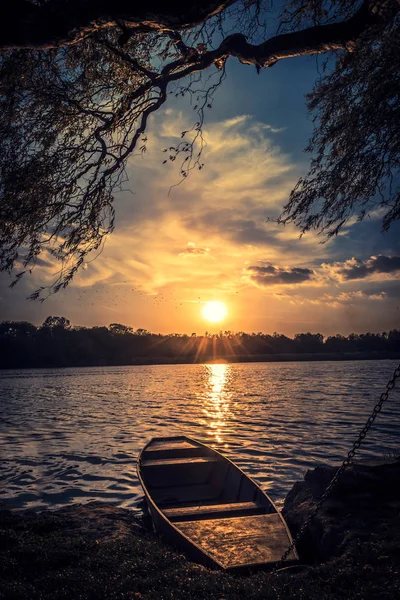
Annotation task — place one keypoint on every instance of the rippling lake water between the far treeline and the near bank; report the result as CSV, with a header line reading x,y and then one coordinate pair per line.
x,y
73,435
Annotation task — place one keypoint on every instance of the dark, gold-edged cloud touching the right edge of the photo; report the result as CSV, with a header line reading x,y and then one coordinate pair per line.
x,y
355,268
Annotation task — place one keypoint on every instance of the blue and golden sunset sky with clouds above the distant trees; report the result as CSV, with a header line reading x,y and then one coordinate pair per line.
x,y
211,238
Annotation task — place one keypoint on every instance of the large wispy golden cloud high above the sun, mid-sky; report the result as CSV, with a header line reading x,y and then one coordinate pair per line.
x,y
246,179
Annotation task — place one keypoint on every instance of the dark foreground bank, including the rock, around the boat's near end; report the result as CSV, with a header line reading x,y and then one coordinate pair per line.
x,y
98,551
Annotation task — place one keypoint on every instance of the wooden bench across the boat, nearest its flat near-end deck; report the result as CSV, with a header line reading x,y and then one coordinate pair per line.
x,y
214,511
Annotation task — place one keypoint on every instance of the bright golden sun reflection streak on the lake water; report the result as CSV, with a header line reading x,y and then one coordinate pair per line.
x,y
218,399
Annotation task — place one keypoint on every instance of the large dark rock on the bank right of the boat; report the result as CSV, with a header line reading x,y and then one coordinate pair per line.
x,y
364,503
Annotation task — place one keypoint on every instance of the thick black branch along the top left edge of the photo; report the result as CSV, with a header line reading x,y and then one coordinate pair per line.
x,y
58,23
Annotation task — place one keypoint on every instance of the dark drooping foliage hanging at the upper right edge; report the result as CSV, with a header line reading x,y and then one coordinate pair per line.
x,y
356,141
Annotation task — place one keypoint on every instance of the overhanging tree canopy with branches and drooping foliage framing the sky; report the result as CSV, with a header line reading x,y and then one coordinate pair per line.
x,y
80,79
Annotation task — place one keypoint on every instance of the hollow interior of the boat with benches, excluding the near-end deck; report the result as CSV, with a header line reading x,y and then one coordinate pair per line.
x,y
189,481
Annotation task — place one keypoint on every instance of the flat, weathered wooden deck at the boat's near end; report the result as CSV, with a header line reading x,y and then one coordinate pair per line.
x,y
241,541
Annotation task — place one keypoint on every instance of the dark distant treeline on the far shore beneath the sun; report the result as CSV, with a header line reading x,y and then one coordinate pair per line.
x,y
58,344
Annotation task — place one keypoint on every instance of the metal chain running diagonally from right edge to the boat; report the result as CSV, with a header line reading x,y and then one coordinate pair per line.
x,y
377,409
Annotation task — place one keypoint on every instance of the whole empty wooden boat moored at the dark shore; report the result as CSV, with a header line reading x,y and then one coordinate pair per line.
x,y
204,504
